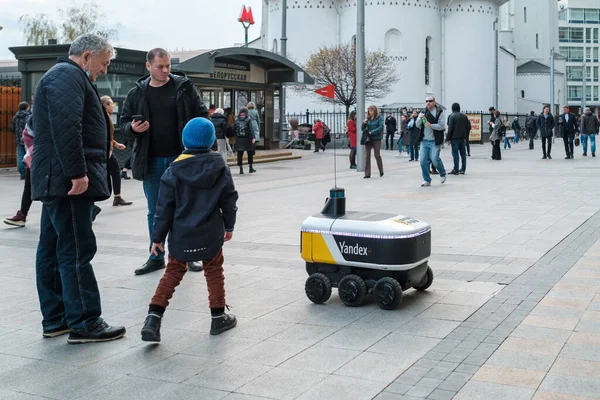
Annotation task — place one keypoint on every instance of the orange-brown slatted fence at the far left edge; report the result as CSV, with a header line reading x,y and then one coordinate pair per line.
x,y
10,96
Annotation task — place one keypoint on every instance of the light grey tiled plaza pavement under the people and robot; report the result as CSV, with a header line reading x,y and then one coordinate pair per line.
x,y
513,312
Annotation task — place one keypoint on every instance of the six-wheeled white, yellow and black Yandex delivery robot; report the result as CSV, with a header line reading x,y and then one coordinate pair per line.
x,y
364,253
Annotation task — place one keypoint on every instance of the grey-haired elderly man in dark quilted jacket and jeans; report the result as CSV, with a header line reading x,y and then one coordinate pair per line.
x,y
68,173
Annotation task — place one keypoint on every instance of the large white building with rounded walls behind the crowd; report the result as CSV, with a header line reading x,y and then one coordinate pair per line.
x,y
446,48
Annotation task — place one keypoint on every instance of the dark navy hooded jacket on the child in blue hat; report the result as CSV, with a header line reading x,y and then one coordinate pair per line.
x,y
196,205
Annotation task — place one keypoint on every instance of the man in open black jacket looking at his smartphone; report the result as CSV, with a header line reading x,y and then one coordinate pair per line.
x,y
154,114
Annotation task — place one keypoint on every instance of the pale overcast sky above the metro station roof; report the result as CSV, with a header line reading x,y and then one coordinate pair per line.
x,y
199,24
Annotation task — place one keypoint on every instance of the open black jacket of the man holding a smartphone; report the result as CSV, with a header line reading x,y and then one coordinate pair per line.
x,y
189,105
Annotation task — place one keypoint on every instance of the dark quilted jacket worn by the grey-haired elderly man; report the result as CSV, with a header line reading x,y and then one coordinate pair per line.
x,y
71,135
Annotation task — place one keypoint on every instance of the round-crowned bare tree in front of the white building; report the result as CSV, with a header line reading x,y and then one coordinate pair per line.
x,y
337,65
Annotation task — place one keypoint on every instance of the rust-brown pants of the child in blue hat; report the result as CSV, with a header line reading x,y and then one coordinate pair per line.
x,y
213,272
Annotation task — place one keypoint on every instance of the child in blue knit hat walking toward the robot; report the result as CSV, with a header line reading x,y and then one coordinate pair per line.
x,y
197,209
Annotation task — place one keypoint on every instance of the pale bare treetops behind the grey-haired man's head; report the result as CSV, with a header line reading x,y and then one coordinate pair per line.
x,y
75,20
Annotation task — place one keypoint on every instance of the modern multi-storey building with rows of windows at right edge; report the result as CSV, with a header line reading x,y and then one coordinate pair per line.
x,y
578,32
